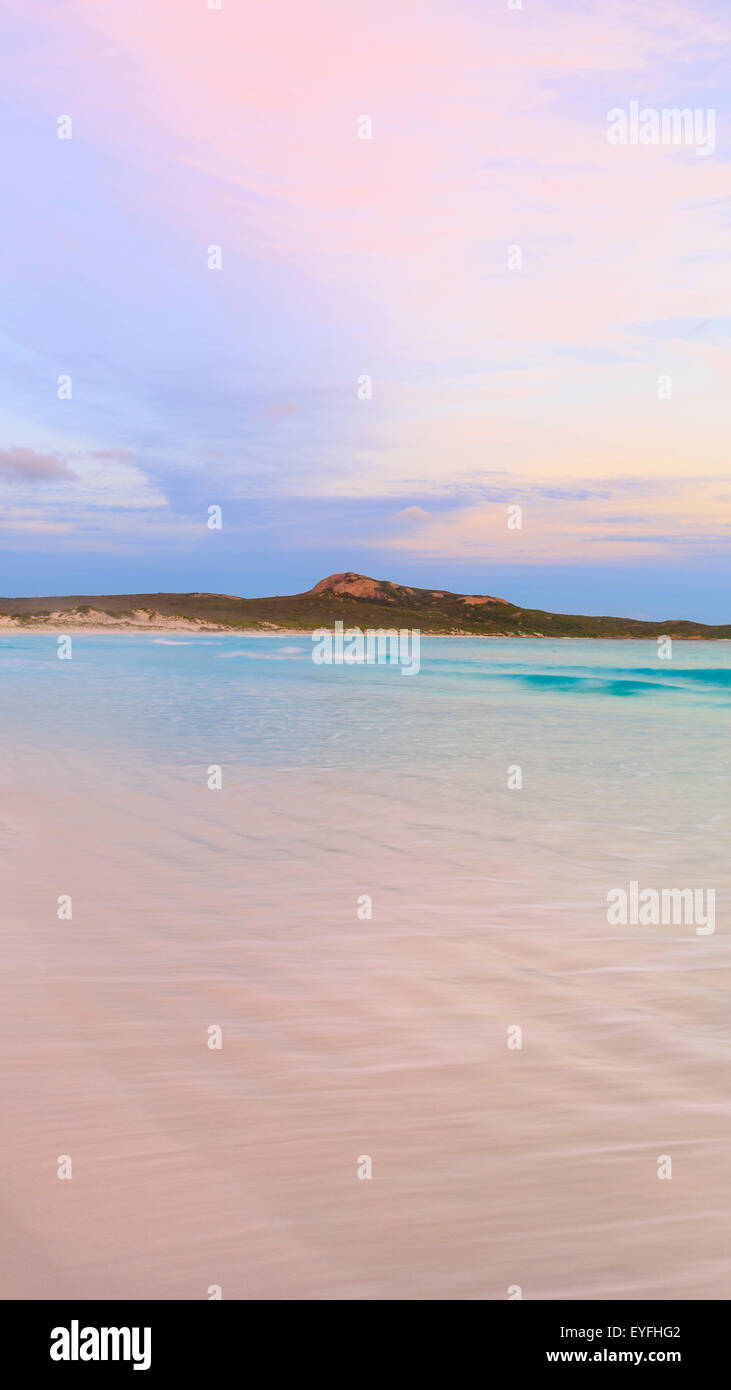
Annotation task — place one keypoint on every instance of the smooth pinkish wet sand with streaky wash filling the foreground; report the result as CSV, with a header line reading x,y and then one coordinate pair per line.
x,y
343,1038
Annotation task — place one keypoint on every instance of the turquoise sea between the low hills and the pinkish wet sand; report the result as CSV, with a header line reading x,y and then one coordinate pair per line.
x,y
621,753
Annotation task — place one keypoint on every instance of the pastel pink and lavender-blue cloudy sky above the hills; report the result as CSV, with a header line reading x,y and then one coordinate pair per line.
x,y
365,279
